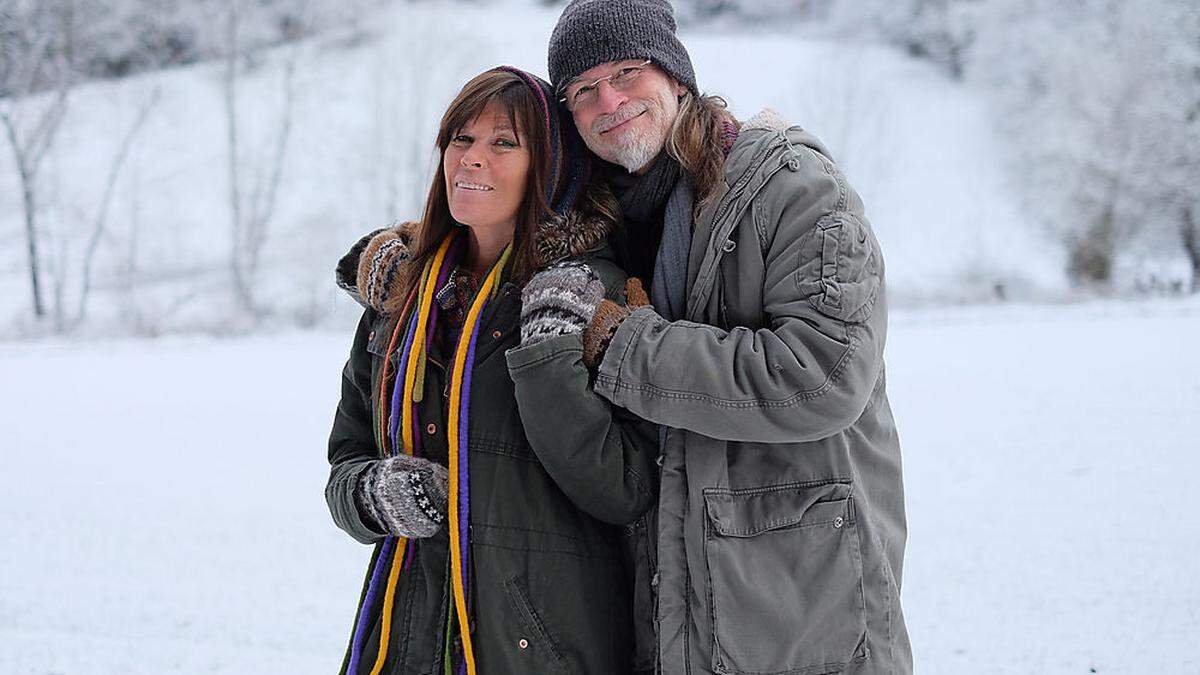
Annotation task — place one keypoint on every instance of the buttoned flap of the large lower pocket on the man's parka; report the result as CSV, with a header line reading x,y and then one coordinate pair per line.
x,y
751,512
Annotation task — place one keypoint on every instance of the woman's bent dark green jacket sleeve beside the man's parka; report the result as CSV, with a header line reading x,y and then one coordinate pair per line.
x,y
602,457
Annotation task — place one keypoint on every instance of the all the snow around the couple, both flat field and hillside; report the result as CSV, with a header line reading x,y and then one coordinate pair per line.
x,y
163,503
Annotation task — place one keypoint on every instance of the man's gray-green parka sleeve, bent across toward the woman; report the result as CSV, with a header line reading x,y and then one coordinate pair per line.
x,y
809,372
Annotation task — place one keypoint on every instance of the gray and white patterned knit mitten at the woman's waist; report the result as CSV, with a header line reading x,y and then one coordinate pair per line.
x,y
405,497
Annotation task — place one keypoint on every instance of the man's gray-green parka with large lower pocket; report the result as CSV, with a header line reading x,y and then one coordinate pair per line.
x,y
781,530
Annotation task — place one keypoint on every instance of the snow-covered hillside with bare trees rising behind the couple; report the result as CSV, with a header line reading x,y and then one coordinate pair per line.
x,y
920,148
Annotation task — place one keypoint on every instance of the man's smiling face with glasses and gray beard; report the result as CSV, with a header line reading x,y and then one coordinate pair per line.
x,y
628,127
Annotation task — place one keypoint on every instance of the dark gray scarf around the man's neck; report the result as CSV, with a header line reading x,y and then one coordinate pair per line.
x,y
641,198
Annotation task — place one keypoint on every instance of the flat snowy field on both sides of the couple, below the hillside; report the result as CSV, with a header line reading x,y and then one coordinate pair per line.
x,y
163,511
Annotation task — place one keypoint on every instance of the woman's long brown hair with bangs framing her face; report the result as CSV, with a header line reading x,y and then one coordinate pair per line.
x,y
524,111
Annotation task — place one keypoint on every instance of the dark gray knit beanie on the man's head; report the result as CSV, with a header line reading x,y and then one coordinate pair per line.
x,y
596,32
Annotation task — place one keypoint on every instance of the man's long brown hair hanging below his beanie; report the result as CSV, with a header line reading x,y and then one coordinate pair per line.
x,y
697,142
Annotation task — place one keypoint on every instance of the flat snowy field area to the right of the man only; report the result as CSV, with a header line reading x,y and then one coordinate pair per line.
x,y
1048,465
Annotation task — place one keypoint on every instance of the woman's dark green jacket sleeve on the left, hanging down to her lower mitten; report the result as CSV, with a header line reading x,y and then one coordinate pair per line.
x,y
352,447
